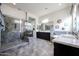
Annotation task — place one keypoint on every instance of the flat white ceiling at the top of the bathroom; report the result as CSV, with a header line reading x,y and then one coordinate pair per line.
x,y
41,9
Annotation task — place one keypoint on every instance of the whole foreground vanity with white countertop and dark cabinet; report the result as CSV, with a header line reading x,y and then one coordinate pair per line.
x,y
66,46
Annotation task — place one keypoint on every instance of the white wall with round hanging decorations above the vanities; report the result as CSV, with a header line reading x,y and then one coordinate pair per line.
x,y
63,14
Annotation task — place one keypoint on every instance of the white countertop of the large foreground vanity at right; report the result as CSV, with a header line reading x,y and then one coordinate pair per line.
x,y
69,40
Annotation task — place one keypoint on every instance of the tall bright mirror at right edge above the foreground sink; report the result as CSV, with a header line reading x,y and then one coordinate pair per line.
x,y
75,16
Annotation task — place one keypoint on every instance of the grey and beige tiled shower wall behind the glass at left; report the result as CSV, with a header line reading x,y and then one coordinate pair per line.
x,y
11,34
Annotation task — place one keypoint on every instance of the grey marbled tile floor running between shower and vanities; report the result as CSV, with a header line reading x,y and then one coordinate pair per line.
x,y
36,47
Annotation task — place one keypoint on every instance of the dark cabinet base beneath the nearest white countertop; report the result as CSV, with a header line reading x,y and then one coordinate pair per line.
x,y
64,50
